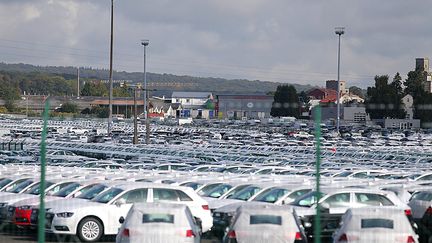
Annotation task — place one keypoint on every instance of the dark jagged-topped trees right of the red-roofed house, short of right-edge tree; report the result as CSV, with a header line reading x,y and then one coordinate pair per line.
x,y
385,100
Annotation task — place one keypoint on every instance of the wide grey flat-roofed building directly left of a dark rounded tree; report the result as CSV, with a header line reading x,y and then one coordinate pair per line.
x,y
244,106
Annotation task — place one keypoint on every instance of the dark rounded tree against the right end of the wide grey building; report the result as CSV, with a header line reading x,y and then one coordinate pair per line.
x,y
286,102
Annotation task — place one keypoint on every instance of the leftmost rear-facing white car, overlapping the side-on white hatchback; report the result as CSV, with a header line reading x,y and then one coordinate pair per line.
x,y
157,222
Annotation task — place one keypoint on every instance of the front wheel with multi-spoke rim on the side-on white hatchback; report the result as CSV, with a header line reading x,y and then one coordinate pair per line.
x,y
90,229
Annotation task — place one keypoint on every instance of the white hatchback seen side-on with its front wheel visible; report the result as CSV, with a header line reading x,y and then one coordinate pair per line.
x,y
92,219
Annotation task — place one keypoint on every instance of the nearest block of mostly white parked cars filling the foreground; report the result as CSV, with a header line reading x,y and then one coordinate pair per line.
x,y
91,203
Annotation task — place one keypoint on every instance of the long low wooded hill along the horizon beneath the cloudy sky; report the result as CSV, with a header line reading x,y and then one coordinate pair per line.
x,y
164,83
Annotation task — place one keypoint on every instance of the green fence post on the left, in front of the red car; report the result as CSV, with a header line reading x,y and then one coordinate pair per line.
x,y
41,216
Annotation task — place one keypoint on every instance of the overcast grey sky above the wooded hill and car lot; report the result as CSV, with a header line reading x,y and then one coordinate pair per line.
x,y
290,41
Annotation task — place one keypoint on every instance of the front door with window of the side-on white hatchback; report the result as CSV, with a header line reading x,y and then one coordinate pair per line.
x,y
121,210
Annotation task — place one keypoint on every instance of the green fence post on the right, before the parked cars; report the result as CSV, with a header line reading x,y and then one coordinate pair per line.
x,y
317,224
